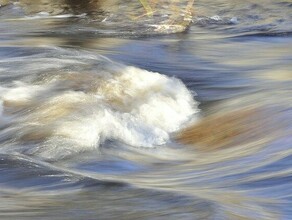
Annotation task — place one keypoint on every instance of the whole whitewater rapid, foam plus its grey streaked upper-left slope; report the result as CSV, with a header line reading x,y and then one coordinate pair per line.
x,y
63,102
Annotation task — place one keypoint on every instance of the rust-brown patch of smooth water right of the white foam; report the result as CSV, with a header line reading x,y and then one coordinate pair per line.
x,y
224,130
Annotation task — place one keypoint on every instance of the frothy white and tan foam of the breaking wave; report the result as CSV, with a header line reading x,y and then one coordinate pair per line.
x,y
82,110
